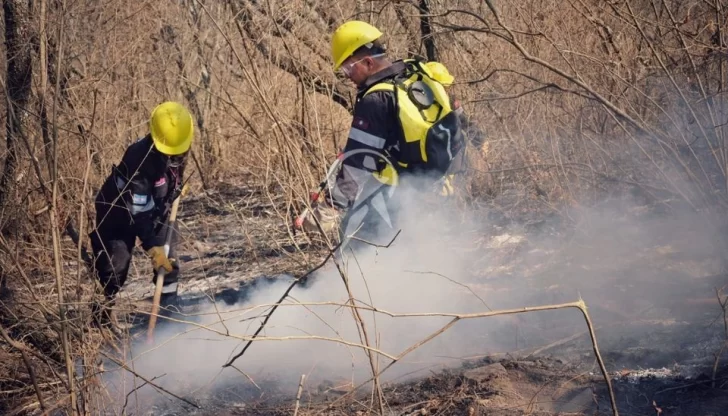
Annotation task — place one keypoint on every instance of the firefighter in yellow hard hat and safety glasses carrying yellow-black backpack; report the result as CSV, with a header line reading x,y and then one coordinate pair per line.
x,y
405,130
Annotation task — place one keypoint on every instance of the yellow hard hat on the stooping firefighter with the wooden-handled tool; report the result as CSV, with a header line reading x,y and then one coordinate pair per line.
x,y
172,128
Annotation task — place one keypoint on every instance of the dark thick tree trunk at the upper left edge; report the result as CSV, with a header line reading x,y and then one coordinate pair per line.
x,y
18,33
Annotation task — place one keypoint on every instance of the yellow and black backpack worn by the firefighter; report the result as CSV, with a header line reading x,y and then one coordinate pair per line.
x,y
430,126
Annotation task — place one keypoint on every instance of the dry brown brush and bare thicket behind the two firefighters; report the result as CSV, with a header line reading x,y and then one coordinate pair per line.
x,y
580,99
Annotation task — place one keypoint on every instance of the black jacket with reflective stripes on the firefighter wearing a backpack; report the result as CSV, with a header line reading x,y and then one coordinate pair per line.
x,y
375,127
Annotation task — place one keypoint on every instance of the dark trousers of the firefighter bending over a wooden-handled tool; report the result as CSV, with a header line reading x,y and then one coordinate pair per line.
x,y
113,246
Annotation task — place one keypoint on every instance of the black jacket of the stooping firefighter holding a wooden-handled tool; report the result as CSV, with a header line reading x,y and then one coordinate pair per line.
x,y
137,196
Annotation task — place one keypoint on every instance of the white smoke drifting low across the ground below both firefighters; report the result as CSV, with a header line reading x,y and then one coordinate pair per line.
x,y
609,260
